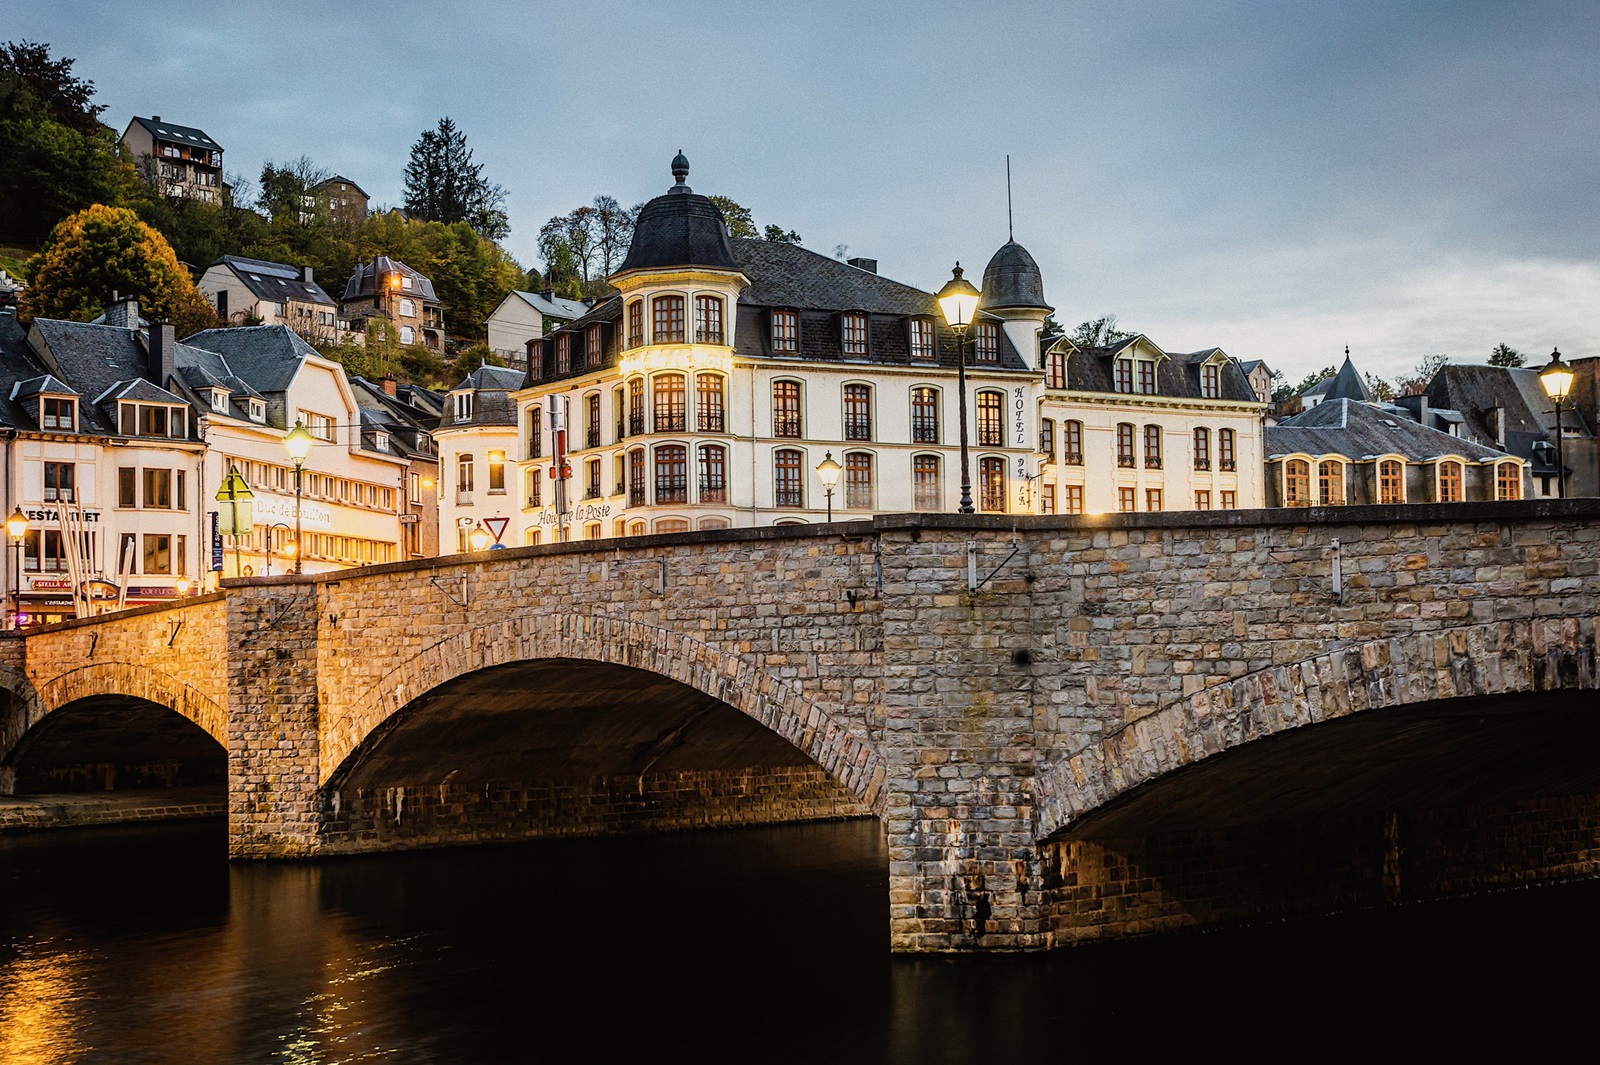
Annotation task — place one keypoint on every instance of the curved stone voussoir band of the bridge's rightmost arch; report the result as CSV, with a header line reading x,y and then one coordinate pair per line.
x,y
1490,660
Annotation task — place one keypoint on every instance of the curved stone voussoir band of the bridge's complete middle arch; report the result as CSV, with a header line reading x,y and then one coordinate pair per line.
x,y
735,680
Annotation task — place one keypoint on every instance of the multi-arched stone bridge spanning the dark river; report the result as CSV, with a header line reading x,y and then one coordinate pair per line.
x,y
1071,728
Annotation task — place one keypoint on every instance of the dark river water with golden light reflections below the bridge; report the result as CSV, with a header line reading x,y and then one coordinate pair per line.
x,y
751,946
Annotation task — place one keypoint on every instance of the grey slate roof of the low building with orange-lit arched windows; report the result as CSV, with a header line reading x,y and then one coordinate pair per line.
x,y
1362,431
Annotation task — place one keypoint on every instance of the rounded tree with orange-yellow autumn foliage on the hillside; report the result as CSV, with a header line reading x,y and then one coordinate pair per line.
x,y
103,250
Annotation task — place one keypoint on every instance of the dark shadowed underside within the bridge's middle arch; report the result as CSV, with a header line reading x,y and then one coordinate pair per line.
x,y
554,748
